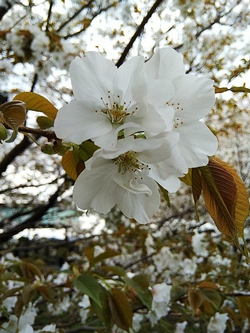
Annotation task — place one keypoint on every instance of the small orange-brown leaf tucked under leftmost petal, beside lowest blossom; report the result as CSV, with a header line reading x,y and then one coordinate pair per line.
x,y
72,165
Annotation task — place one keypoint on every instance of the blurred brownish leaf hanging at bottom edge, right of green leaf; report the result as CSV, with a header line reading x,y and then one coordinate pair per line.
x,y
120,309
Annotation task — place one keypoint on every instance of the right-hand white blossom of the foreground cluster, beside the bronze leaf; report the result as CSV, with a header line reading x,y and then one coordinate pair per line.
x,y
193,98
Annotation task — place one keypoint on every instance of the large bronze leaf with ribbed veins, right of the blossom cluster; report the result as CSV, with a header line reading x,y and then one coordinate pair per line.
x,y
225,197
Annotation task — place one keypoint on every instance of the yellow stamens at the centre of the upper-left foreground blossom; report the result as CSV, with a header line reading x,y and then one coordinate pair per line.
x,y
115,110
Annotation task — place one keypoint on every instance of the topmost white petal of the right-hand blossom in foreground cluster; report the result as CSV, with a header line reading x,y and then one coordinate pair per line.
x,y
166,63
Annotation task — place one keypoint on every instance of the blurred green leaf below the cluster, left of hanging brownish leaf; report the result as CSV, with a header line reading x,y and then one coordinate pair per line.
x,y
88,285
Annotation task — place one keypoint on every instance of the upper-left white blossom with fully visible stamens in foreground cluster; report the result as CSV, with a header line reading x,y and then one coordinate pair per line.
x,y
108,101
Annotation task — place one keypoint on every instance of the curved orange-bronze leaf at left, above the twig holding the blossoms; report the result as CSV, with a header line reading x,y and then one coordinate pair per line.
x,y
37,102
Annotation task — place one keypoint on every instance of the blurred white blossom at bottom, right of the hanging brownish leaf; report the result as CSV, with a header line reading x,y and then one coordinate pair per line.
x,y
161,299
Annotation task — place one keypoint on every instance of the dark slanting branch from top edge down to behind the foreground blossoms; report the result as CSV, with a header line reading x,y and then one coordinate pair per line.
x,y
138,32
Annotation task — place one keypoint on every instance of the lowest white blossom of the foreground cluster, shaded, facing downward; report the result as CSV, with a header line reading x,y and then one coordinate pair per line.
x,y
123,178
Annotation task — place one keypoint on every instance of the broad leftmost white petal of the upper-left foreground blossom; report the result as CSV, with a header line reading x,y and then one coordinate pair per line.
x,y
78,121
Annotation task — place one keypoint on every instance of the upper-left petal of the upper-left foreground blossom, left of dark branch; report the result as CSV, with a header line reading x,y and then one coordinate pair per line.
x,y
92,76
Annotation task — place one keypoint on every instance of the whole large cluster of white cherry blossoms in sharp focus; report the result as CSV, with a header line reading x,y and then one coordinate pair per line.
x,y
146,119
